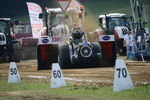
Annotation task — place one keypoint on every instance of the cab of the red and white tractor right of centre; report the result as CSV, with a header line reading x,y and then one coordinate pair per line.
x,y
108,22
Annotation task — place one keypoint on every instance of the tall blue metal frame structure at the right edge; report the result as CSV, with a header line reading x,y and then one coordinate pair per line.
x,y
141,51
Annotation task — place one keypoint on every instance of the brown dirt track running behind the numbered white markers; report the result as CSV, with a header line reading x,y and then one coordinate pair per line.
x,y
139,72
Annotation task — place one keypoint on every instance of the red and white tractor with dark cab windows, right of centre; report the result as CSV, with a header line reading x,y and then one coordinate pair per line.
x,y
115,24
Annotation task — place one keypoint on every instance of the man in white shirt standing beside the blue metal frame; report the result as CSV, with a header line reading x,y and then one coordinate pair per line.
x,y
128,41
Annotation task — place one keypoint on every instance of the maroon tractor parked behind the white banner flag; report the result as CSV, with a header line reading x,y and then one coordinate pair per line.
x,y
23,34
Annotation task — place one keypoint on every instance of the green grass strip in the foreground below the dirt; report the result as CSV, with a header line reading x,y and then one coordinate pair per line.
x,y
32,89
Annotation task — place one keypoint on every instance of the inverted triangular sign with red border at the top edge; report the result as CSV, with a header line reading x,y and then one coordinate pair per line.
x,y
64,4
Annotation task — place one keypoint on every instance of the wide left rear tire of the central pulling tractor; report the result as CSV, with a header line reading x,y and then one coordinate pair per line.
x,y
64,56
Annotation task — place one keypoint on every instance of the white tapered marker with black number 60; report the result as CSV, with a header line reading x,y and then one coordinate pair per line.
x,y
57,79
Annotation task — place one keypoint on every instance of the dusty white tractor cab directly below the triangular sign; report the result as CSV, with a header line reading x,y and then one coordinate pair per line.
x,y
58,22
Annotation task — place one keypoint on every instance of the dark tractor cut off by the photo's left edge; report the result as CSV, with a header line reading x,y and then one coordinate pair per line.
x,y
10,49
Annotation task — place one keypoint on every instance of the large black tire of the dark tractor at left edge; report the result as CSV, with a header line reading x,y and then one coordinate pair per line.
x,y
16,52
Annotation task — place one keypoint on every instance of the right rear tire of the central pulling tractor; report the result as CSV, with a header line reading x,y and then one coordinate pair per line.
x,y
97,50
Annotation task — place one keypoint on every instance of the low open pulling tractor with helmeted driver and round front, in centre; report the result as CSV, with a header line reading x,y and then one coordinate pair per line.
x,y
78,52
